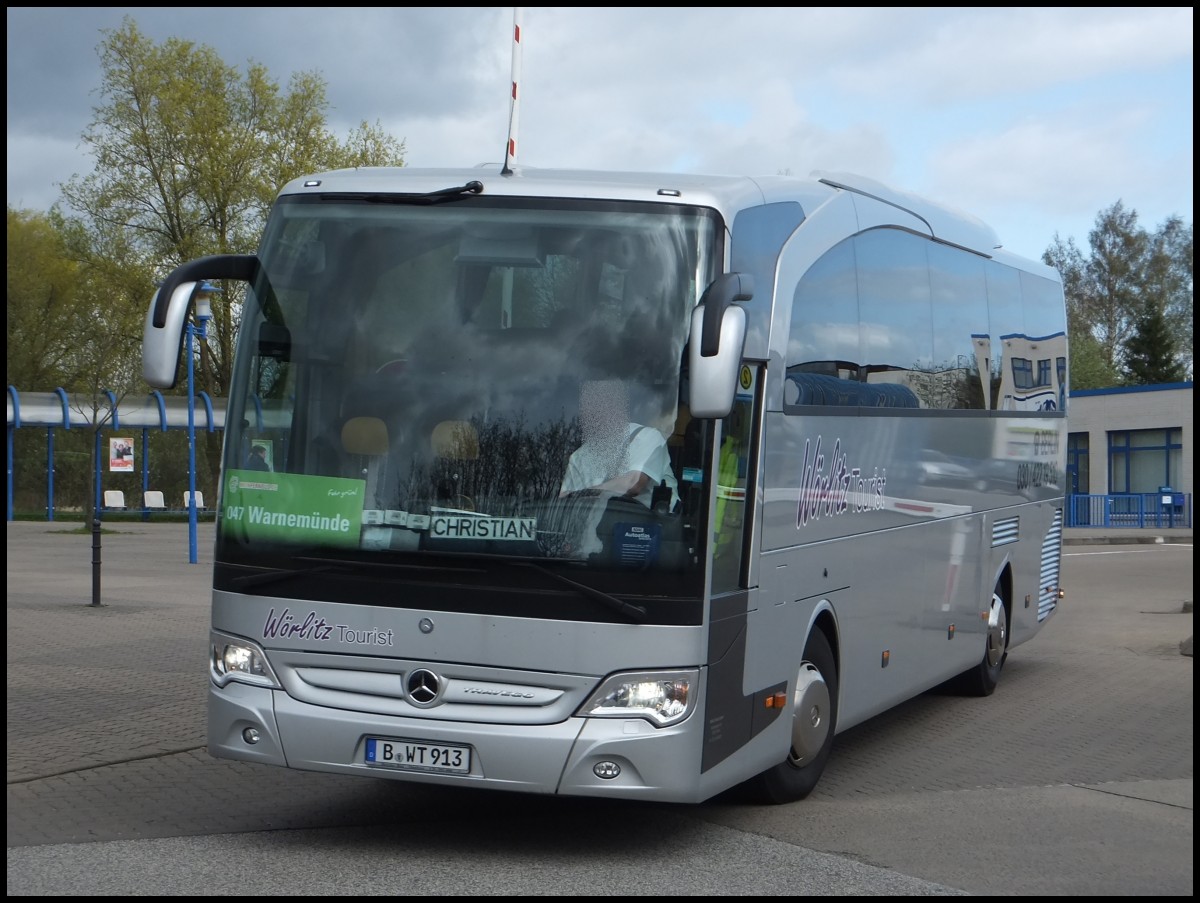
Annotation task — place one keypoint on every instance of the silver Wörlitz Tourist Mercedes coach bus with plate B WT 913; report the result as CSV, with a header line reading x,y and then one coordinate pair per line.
x,y
616,485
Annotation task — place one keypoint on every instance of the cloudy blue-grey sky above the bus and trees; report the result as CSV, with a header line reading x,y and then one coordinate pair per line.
x,y
1034,119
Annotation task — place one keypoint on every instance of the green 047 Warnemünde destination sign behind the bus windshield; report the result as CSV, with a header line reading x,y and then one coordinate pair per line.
x,y
292,507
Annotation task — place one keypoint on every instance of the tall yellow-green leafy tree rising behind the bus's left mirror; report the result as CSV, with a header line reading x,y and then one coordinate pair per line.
x,y
189,157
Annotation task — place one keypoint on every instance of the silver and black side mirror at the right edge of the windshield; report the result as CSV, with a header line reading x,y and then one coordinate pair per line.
x,y
715,348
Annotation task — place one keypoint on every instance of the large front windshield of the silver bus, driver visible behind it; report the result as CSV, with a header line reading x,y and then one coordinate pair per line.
x,y
470,379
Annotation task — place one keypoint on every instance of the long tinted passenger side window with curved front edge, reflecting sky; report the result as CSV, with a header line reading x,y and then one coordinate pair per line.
x,y
890,319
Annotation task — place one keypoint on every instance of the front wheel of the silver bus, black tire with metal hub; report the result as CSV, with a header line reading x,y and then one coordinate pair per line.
x,y
797,776
